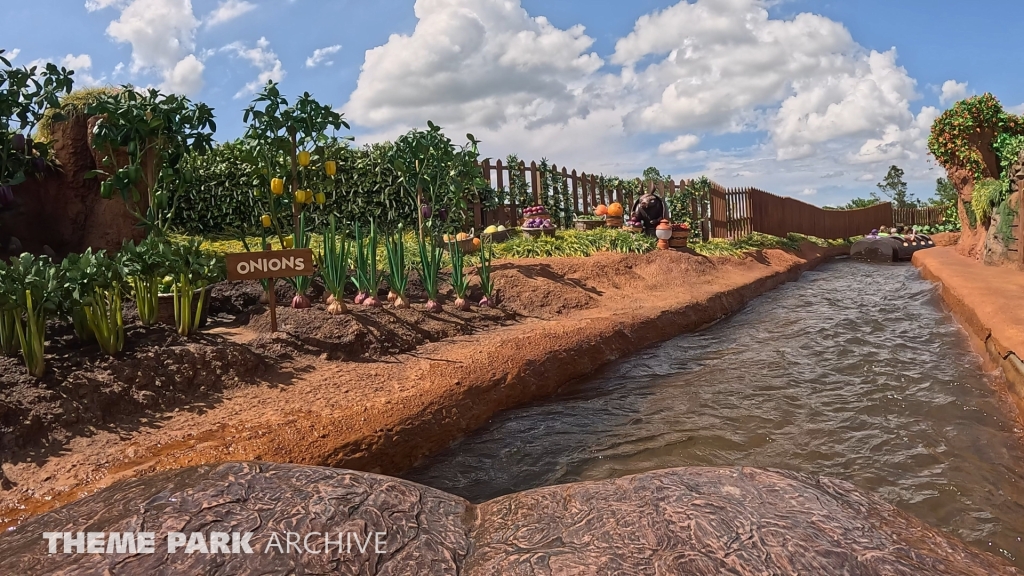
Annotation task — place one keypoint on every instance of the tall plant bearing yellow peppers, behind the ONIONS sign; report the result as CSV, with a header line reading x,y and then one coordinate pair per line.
x,y
284,139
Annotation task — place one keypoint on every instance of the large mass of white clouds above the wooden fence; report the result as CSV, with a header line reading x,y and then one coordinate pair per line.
x,y
809,95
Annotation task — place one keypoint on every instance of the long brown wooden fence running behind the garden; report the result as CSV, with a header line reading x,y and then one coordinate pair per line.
x,y
722,213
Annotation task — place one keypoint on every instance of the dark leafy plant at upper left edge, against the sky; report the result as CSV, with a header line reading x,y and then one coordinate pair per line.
x,y
25,96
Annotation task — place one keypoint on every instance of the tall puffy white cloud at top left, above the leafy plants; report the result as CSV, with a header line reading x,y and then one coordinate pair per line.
x,y
162,36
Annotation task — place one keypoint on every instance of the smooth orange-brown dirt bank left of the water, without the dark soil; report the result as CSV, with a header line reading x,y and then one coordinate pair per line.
x,y
383,417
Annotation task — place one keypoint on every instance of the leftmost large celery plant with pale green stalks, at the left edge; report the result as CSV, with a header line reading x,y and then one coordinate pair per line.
x,y
34,285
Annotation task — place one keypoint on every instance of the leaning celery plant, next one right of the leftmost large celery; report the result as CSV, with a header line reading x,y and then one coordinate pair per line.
x,y
103,305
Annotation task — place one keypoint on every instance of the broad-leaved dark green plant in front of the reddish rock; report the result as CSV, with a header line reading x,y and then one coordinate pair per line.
x,y
144,138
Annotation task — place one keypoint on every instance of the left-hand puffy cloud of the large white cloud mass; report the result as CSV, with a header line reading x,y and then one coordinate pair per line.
x,y
477,62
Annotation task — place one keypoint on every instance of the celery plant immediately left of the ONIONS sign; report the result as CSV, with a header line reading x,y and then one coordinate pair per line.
x,y
193,271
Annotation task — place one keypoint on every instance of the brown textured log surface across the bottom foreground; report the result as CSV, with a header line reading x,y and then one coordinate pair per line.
x,y
685,521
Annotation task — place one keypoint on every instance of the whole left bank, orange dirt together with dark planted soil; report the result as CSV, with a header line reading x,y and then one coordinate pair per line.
x,y
374,391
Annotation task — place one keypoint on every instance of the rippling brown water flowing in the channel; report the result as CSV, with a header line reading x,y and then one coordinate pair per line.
x,y
854,373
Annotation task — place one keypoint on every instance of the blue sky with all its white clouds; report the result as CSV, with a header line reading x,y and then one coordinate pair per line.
x,y
806,99
